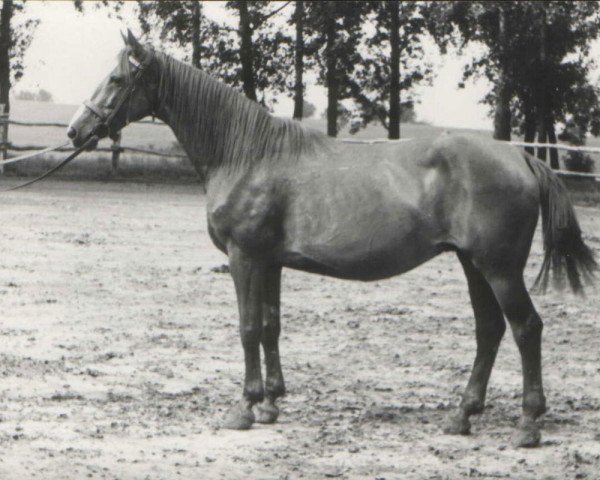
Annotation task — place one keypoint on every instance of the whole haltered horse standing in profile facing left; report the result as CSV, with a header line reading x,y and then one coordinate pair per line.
x,y
281,195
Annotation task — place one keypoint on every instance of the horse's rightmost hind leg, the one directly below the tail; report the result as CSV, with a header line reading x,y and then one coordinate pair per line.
x,y
527,328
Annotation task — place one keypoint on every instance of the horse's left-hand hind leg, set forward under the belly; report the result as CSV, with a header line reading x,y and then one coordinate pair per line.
x,y
489,329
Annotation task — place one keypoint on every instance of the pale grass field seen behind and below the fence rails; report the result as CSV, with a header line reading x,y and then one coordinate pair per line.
x,y
159,137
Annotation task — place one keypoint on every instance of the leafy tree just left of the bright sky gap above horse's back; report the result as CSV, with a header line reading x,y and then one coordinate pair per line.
x,y
394,64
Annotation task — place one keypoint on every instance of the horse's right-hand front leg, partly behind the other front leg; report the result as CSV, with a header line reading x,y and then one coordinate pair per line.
x,y
267,412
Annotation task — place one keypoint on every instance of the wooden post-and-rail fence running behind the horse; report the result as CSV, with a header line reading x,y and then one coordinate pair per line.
x,y
116,148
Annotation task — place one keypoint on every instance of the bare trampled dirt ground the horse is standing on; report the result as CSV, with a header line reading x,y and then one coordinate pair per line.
x,y
120,355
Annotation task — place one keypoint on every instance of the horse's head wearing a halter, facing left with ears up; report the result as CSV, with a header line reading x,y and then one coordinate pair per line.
x,y
124,96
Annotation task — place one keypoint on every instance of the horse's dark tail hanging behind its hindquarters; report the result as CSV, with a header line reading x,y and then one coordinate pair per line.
x,y
564,249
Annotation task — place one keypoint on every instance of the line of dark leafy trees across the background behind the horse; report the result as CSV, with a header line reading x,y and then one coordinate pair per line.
x,y
370,54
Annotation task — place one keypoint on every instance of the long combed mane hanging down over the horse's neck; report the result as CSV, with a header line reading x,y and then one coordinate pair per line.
x,y
219,126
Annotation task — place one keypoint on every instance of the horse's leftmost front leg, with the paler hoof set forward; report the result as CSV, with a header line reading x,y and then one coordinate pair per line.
x,y
249,279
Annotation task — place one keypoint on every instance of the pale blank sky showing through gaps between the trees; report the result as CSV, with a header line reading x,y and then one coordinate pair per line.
x,y
72,52
